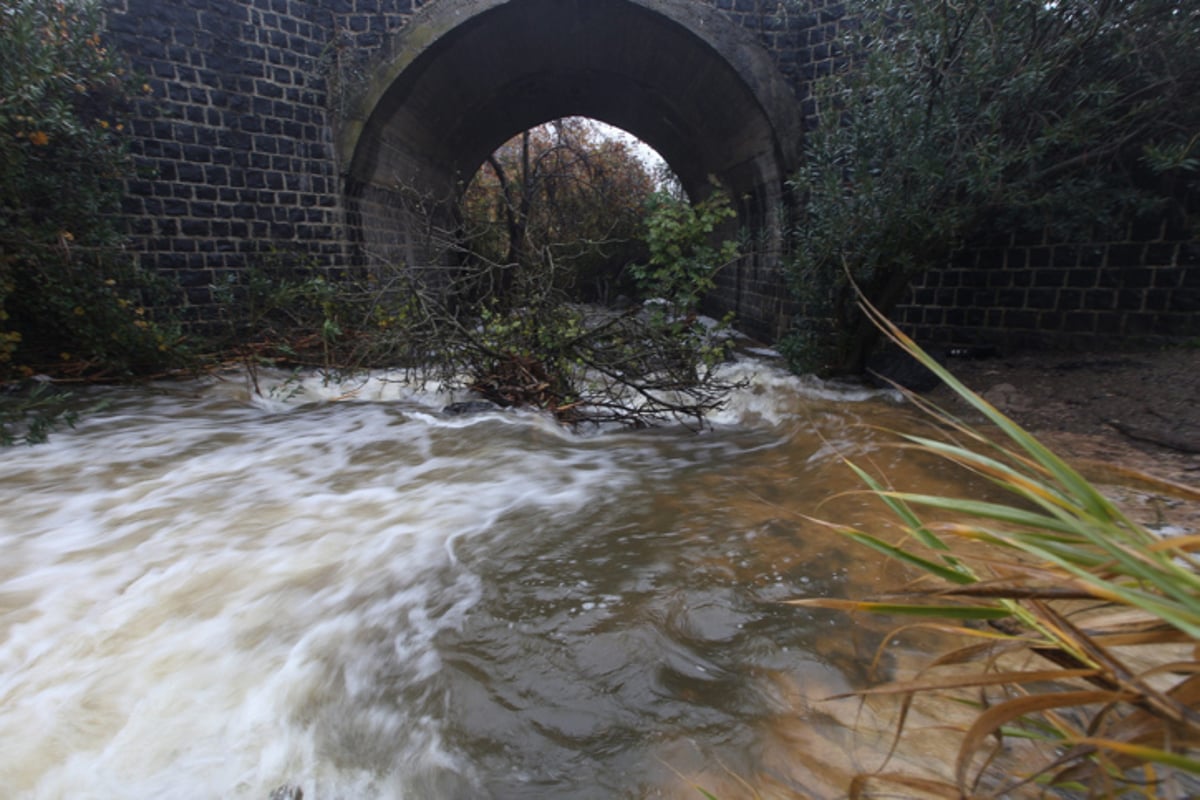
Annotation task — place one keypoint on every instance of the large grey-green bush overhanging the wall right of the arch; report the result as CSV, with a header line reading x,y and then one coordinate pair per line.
x,y
950,121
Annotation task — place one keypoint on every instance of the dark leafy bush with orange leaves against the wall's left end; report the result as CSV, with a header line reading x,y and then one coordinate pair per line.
x,y
68,291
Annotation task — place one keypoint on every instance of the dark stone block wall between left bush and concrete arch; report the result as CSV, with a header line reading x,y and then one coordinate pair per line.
x,y
232,141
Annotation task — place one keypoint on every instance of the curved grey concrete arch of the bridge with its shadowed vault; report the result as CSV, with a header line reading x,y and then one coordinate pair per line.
x,y
465,76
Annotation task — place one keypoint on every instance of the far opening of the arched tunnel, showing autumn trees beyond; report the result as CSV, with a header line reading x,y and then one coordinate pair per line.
x,y
566,201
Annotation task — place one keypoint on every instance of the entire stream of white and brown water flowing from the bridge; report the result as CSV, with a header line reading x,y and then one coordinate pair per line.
x,y
209,593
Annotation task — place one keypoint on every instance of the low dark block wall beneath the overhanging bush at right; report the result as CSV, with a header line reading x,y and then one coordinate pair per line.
x,y
1141,286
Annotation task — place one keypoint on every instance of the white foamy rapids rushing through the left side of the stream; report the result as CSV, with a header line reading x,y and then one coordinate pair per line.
x,y
207,593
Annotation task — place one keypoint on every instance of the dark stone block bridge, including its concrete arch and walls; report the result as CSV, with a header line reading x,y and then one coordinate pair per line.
x,y
309,130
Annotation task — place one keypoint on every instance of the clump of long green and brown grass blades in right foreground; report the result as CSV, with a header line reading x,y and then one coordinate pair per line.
x,y
1081,624
